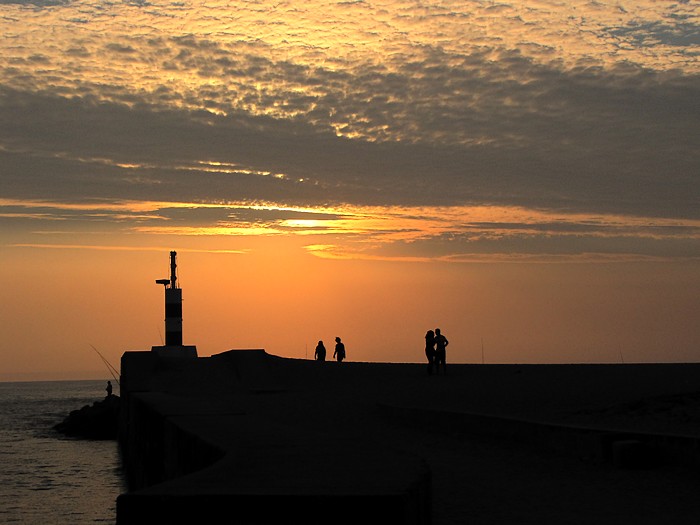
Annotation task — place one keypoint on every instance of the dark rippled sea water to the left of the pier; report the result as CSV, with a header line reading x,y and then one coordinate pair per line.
x,y
45,477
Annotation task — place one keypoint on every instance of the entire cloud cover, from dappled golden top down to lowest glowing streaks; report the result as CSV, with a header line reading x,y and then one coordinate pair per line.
x,y
458,131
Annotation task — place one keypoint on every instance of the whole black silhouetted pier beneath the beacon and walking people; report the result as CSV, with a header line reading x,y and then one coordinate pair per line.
x,y
247,437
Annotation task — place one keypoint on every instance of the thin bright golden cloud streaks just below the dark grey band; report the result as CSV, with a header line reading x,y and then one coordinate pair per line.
x,y
451,234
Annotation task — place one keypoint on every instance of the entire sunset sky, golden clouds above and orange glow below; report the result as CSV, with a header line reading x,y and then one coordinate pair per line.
x,y
524,175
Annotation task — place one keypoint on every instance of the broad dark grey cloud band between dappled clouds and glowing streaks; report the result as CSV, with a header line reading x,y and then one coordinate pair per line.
x,y
633,154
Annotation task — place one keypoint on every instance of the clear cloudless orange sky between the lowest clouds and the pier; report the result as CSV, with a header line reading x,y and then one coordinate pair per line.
x,y
60,302
